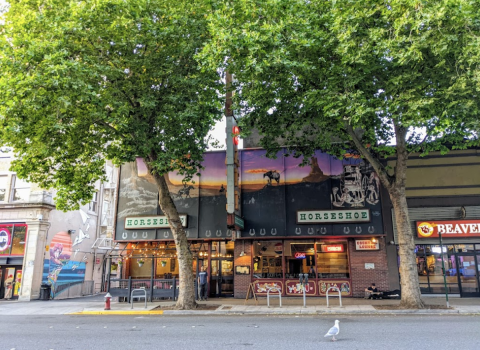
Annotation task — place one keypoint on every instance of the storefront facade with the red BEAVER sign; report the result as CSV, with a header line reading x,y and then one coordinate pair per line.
x,y
443,195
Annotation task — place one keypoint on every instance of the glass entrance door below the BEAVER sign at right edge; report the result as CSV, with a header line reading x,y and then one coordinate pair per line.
x,y
467,268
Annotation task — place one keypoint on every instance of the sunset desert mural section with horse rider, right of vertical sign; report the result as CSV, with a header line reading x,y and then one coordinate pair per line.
x,y
270,206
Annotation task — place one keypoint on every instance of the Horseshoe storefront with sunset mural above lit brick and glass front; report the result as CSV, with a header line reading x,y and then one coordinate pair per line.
x,y
324,219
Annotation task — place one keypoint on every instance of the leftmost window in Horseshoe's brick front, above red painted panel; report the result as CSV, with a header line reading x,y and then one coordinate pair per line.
x,y
267,260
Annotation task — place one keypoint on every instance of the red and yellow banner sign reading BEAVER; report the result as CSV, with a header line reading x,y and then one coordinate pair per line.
x,y
448,229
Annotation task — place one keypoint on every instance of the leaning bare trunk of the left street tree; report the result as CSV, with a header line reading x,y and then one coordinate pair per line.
x,y
186,296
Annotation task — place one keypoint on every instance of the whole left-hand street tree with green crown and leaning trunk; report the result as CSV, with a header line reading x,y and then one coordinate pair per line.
x,y
83,82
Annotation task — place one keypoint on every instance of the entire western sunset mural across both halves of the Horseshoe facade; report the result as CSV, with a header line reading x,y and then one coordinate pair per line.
x,y
272,191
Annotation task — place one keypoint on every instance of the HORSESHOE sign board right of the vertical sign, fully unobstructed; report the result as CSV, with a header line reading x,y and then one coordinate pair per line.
x,y
333,216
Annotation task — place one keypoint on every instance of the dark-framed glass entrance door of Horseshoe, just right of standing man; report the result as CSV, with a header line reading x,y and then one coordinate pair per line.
x,y
221,283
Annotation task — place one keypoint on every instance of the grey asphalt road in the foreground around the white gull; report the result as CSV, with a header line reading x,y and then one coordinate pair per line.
x,y
238,332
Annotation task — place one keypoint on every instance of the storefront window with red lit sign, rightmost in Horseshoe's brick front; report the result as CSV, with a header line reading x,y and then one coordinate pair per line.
x,y
332,260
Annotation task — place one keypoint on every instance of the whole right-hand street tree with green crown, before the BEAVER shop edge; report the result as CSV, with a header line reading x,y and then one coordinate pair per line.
x,y
381,78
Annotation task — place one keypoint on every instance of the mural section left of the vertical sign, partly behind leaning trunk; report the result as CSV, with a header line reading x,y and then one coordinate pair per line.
x,y
202,199
